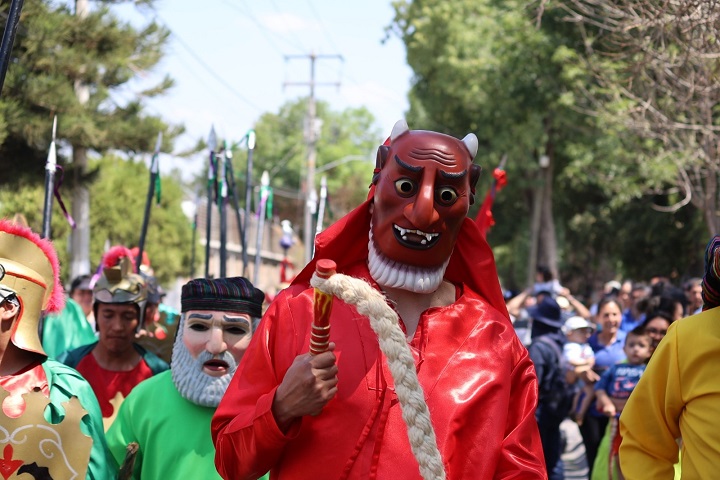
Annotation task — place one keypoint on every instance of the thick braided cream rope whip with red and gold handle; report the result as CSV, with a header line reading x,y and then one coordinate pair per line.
x,y
384,321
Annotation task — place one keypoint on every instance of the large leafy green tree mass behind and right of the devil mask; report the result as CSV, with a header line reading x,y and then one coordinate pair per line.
x,y
514,75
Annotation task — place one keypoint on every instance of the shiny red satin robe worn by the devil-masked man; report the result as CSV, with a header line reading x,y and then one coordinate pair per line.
x,y
478,380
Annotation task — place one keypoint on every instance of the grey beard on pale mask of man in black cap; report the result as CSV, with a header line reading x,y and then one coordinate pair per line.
x,y
191,382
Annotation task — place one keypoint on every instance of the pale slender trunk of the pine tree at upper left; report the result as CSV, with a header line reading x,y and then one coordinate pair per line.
x,y
80,236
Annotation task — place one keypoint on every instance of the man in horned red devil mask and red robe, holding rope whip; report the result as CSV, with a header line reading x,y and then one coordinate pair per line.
x,y
348,412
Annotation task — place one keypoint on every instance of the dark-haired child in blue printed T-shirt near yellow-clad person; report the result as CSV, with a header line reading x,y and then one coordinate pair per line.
x,y
612,391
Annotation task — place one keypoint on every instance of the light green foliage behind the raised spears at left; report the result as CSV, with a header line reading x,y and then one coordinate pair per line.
x,y
116,215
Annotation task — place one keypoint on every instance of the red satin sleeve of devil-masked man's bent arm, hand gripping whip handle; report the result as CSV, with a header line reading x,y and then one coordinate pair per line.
x,y
247,440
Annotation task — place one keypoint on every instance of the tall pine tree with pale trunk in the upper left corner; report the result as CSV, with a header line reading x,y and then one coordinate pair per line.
x,y
69,65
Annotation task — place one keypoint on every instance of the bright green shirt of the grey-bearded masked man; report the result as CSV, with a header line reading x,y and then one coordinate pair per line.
x,y
173,434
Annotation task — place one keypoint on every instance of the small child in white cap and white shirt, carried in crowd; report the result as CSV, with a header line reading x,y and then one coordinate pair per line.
x,y
580,358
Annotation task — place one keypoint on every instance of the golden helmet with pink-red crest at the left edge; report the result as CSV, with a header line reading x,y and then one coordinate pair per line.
x,y
29,271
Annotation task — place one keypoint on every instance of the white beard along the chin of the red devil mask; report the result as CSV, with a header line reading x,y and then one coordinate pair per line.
x,y
391,274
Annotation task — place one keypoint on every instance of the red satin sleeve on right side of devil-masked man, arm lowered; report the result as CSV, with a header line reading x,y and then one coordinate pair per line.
x,y
522,455
